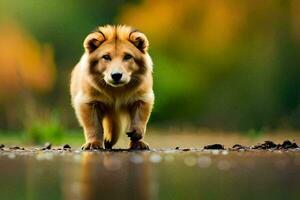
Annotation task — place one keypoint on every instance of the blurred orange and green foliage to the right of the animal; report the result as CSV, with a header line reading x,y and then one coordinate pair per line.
x,y
224,64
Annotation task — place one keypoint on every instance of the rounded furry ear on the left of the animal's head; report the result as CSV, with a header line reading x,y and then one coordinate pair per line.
x,y
93,41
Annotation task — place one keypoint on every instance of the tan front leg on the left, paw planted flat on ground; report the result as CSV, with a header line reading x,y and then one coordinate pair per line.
x,y
88,115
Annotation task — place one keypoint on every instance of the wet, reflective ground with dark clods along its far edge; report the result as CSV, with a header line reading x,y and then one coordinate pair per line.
x,y
263,171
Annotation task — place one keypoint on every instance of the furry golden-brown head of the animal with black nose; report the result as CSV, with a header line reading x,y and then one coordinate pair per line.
x,y
117,55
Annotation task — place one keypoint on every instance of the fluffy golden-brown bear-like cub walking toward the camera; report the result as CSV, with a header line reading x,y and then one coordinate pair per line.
x,y
111,87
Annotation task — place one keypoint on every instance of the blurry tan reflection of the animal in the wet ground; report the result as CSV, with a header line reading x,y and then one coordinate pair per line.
x,y
109,176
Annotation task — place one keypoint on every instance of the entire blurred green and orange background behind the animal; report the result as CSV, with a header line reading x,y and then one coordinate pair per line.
x,y
227,65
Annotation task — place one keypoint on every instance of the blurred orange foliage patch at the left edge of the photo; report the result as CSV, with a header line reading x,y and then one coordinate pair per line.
x,y
26,65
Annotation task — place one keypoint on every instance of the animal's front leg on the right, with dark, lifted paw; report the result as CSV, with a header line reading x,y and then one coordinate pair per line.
x,y
139,113
